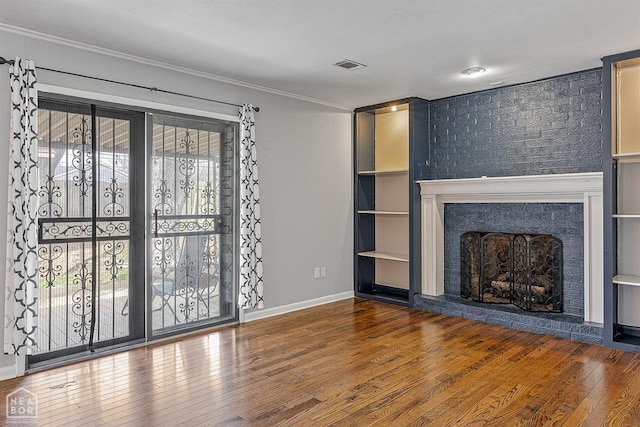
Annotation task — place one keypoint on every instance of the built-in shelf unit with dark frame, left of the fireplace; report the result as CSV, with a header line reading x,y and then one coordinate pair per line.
x,y
390,151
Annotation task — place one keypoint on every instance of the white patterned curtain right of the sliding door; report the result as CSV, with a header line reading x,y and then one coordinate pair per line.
x,y
251,284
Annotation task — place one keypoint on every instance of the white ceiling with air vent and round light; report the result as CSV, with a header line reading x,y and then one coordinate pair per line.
x,y
410,47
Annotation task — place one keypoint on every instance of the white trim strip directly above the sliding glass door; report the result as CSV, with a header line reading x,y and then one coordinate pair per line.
x,y
132,102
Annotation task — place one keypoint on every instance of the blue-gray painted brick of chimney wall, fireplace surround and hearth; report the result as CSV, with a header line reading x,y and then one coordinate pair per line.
x,y
544,127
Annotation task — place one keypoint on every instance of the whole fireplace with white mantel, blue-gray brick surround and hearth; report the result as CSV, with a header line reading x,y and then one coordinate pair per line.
x,y
575,197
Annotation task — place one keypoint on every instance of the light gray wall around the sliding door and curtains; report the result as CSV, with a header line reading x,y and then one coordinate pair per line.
x,y
304,154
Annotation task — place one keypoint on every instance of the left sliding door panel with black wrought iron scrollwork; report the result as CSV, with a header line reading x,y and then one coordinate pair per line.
x,y
89,228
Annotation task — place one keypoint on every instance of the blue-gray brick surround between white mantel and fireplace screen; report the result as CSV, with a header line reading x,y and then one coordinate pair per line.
x,y
562,220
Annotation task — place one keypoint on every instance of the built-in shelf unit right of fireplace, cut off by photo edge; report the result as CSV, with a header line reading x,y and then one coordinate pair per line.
x,y
621,157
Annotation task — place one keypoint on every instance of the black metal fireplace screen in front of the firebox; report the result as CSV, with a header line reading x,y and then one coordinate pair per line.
x,y
505,268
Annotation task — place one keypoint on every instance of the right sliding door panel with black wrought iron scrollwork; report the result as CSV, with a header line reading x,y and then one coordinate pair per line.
x,y
192,246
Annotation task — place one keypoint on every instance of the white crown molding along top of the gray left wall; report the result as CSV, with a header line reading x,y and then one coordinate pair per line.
x,y
159,64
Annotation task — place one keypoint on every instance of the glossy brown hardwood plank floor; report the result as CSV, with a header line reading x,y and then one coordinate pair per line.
x,y
349,363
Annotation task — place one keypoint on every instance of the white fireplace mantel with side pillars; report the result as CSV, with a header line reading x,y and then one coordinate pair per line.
x,y
585,188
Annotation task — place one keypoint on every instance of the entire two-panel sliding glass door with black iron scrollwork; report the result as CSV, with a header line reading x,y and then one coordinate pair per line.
x,y
136,229
